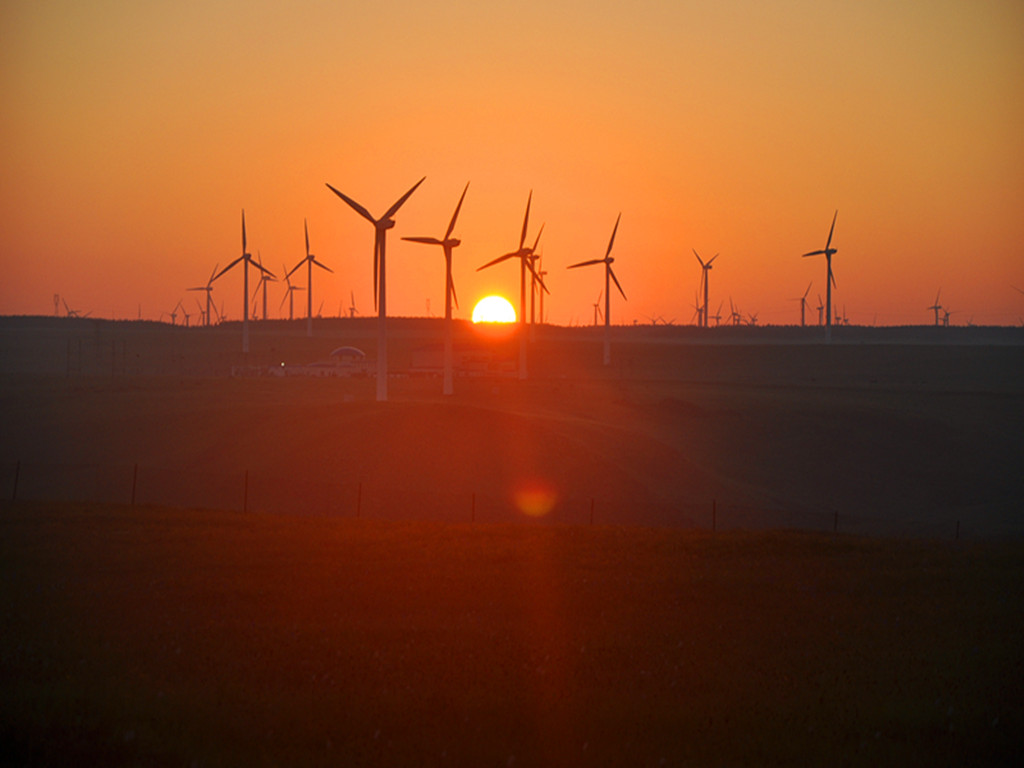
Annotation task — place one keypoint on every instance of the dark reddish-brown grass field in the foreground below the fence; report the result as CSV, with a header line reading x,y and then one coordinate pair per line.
x,y
172,637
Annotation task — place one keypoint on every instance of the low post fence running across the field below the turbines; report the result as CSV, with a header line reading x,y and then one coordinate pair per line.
x,y
250,492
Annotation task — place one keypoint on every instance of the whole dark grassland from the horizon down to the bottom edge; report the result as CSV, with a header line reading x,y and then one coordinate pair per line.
x,y
298,633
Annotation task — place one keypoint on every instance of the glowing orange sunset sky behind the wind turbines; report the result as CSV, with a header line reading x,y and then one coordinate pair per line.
x,y
133,135
